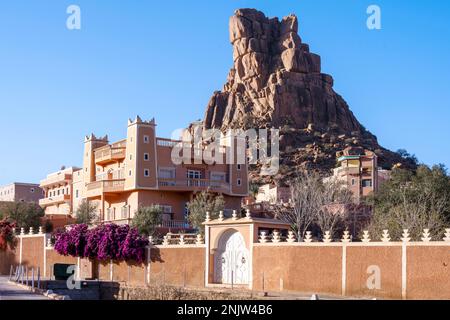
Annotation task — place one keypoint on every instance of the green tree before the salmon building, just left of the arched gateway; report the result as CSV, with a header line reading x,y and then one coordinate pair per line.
x,y
202,203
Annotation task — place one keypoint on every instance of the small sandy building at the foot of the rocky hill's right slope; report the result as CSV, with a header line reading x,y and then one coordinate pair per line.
x,y
358,169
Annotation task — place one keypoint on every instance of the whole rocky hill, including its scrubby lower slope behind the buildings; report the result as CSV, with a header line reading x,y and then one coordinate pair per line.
x,y
277,82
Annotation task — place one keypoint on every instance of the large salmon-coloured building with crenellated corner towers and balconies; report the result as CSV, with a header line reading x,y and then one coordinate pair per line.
x,y
120,177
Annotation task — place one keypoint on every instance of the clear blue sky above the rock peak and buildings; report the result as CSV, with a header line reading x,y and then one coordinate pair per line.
x,y
164,59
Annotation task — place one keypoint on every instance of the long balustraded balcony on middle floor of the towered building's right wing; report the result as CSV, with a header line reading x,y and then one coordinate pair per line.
x,y
193,185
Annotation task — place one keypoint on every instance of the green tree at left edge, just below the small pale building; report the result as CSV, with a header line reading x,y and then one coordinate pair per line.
x,y
24,214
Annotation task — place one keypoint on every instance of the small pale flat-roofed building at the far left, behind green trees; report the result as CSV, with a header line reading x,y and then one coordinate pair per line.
x,y
21,192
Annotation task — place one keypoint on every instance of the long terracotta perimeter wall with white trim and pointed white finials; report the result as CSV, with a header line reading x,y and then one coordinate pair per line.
x,y
382,269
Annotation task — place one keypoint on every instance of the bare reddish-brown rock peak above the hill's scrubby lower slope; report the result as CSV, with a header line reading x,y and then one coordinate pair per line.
x,y
275,80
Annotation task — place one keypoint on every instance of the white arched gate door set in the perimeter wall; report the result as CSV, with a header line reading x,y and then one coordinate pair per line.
x,y
231,260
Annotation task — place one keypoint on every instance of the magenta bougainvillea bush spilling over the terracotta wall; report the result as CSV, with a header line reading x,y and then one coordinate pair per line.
x,y
105,242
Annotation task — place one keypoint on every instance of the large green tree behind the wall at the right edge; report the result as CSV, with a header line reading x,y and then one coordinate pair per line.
x,y
414,201
